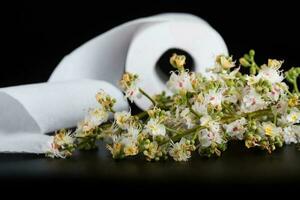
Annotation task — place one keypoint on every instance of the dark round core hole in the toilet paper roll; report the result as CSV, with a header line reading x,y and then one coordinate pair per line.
x,y
163,66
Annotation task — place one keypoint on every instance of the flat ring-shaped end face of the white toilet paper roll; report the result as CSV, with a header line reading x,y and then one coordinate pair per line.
x,y
201,42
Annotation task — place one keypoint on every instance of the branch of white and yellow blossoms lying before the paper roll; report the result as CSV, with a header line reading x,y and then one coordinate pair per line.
x,y
201,114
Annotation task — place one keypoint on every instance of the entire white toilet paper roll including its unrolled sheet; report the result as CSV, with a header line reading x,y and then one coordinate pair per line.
x,y
28,112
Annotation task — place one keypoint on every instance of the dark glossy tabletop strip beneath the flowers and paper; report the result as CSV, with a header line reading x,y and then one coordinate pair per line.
x,y
237,165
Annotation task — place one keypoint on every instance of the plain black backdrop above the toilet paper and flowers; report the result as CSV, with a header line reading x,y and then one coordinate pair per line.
x,y
37,35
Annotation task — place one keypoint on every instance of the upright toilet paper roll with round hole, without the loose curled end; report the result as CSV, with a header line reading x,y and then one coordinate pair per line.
x,y
136,47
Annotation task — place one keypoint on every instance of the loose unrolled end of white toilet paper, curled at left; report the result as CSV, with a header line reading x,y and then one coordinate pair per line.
x,y
30,111
